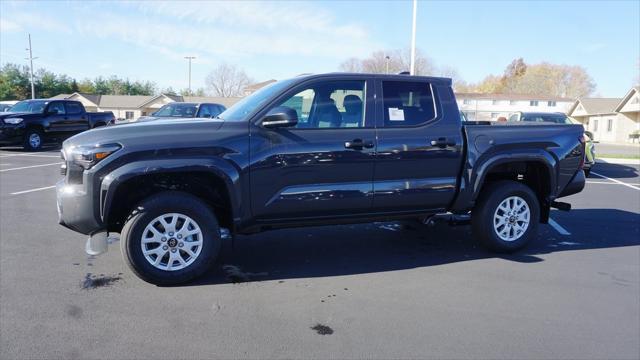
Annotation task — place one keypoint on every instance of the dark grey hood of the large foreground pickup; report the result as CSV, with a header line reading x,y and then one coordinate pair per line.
x,y
152,134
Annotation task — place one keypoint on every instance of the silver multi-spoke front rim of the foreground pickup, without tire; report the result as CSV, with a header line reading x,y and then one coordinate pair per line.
x,y
171,242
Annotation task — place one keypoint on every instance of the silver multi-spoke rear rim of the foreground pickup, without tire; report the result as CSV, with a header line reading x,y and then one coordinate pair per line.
x,y
511,219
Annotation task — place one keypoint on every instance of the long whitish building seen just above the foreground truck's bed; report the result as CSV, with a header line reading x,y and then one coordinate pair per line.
x,y
477,106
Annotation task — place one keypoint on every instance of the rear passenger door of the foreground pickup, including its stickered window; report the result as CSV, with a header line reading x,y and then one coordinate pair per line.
x,y
420,148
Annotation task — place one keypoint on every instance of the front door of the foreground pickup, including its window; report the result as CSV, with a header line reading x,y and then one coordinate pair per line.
x,y
322,167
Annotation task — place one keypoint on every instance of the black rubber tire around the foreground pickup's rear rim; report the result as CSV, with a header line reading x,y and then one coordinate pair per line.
x,y
482,217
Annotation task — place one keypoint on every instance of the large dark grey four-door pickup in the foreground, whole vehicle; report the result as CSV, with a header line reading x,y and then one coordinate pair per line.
x,y
316,149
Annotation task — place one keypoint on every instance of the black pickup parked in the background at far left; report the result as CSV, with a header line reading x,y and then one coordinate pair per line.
x,y
31,123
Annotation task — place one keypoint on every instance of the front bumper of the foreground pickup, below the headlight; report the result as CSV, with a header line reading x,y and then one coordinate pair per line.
x,y
75,208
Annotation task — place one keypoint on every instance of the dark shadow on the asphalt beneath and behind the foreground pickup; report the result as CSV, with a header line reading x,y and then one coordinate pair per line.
x,y
380,247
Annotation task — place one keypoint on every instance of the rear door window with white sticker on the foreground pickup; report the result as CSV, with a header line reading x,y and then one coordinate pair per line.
x,y
407,103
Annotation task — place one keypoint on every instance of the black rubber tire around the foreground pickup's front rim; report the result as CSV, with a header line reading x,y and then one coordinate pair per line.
x,y
155,206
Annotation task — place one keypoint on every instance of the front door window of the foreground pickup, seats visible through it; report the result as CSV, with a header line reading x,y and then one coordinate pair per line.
x,y
333,104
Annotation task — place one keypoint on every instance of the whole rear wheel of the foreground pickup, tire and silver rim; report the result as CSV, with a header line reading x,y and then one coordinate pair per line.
x,y
506,216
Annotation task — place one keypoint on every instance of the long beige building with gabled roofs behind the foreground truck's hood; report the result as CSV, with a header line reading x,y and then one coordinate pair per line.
x,y
126,107
